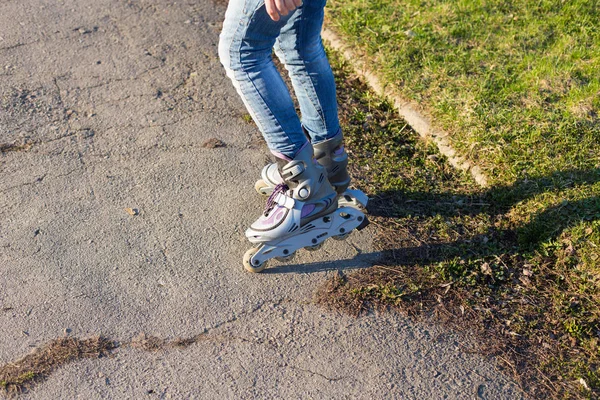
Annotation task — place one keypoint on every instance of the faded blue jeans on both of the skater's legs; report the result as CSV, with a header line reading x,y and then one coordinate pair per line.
x,y
245,49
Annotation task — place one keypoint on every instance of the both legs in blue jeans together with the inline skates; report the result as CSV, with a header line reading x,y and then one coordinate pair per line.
x,y
304,208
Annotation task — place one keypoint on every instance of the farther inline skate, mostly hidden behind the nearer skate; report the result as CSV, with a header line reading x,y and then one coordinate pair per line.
x,y
330,154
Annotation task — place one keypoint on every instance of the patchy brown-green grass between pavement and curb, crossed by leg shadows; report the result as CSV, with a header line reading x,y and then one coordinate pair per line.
x,y
516,263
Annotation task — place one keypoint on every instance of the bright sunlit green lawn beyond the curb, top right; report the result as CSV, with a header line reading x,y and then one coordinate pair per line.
x,y
515,83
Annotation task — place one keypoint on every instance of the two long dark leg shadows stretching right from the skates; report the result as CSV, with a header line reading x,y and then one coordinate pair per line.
x,y
491,204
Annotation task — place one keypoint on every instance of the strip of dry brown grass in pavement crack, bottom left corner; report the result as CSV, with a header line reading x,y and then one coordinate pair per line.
x,y
18,376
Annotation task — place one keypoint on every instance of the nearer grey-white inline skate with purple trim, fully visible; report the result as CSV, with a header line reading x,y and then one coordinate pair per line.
x,y
302,211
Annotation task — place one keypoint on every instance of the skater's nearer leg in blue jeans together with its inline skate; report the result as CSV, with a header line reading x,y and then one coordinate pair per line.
x,y
302,211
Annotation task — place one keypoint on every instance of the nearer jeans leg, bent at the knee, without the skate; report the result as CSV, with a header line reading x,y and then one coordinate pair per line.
x,y
245,50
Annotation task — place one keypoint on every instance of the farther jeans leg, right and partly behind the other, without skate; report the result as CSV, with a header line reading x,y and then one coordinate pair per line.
x,y
300,48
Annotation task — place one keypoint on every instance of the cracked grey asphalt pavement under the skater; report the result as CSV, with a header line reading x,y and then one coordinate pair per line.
x,y
104,106
